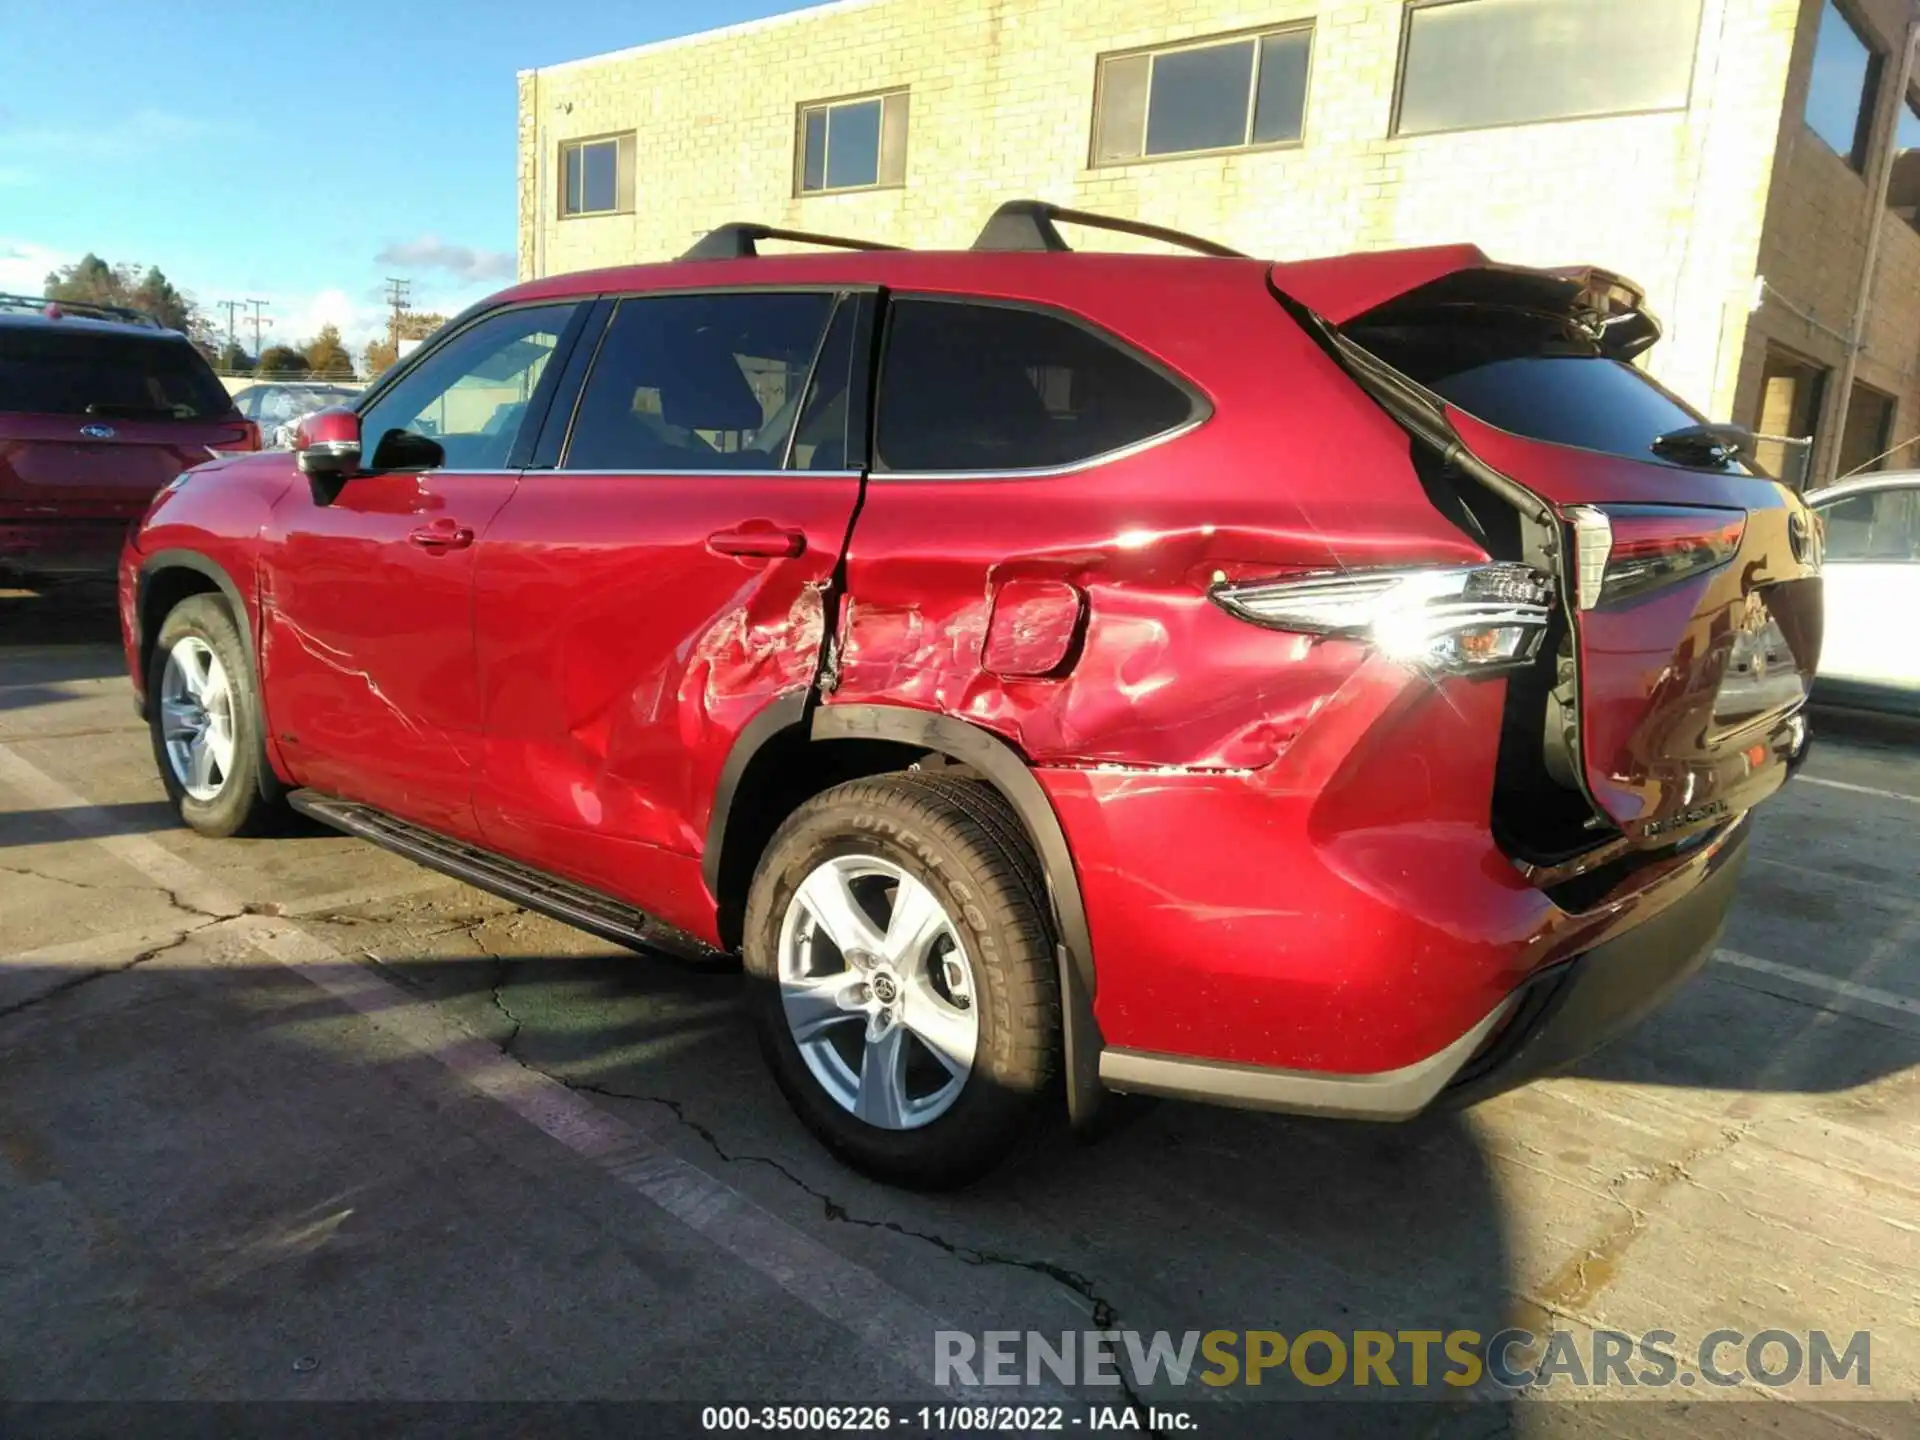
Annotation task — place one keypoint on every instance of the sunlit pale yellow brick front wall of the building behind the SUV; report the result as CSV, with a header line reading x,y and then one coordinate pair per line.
x,y
1003,107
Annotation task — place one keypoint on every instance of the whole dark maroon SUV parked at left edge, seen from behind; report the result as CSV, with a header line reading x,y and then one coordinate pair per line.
x,y
99,410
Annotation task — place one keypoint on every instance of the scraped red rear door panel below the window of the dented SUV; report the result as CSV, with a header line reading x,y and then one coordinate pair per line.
x,y
621,658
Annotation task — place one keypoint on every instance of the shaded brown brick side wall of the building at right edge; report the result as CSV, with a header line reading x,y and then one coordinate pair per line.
x,y
1819,218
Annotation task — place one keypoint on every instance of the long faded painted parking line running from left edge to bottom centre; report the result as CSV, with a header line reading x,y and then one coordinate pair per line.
x,y
844,1293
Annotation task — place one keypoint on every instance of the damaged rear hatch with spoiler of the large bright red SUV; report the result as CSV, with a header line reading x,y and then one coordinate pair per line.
x,y
1669,696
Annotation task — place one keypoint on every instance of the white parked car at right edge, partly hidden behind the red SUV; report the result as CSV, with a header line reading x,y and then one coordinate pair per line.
x,y
1871,654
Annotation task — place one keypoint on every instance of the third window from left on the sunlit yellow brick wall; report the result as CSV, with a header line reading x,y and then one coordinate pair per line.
x,y
1218,95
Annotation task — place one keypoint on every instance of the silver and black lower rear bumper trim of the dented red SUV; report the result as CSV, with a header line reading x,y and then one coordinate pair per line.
x,y
1558,1017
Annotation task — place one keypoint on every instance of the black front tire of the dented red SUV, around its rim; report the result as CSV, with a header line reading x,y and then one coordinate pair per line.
x,y
251,800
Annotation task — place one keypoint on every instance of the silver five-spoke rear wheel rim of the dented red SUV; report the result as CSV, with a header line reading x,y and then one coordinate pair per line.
x,y
878,992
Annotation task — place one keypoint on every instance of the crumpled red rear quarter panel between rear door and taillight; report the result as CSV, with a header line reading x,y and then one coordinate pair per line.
x,y
1293,471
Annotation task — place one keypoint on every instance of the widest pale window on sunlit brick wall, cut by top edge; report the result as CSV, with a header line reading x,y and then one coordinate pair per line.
x,y
1474,64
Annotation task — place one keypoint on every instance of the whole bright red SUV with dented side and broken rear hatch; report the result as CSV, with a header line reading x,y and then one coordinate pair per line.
x,y
1326,686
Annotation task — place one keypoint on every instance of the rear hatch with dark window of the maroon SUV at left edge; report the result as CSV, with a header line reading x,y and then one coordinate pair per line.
x,y
97,418
